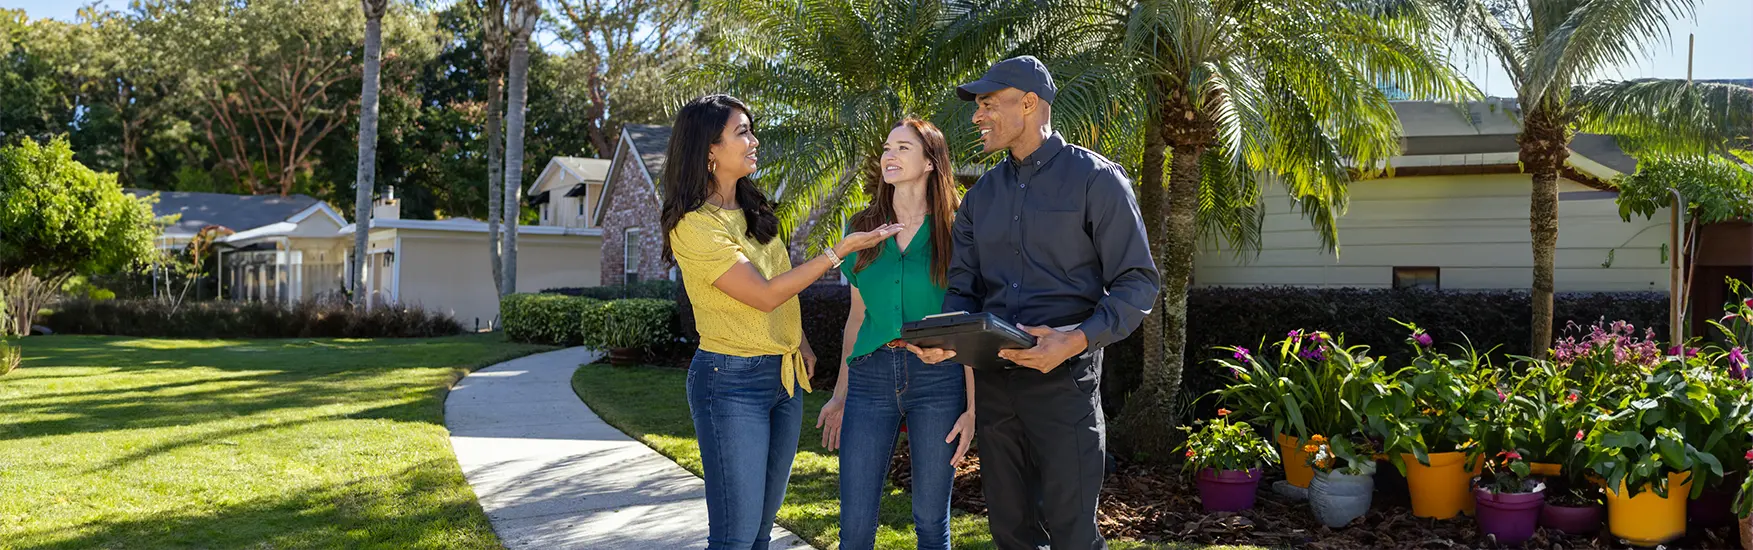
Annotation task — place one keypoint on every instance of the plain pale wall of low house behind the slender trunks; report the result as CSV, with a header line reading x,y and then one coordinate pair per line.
x,y
450,272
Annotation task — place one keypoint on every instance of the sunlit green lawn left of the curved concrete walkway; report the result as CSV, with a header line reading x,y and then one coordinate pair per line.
x,y
238,444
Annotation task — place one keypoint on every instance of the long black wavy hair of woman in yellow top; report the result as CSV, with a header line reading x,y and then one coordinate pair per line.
x,y
688,180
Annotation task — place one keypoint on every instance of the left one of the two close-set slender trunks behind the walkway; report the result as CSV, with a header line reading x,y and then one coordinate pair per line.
x,y
493,48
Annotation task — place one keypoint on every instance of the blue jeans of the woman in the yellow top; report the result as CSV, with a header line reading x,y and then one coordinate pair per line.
x,y
748,434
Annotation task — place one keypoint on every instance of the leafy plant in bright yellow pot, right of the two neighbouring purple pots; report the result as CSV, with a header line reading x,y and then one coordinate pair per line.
x,y
1645,462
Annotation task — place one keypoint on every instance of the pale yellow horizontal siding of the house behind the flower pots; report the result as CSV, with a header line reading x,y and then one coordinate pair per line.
x,y
1472,227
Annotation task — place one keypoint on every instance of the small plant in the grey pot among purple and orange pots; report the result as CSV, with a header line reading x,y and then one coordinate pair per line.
x,y
1345,479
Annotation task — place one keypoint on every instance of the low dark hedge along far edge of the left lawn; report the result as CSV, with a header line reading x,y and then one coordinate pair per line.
x,y
245,320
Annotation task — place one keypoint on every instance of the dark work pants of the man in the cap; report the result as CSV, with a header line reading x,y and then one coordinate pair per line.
x,y
1042,441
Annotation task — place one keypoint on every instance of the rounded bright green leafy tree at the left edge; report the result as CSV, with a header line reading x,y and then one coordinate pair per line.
x,y
60,218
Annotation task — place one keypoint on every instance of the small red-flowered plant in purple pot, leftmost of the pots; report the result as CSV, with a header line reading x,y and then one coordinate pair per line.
x,y
1228,460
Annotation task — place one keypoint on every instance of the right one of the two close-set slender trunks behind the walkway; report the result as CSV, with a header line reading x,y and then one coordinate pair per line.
x,y
525,15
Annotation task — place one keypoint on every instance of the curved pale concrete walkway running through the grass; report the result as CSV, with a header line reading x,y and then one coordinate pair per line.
x,y
553,476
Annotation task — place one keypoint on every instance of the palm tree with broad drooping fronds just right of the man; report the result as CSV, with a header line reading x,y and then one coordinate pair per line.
x,y
1240,94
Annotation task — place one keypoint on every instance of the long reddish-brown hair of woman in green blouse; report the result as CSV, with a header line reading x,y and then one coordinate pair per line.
x,y
940,202
